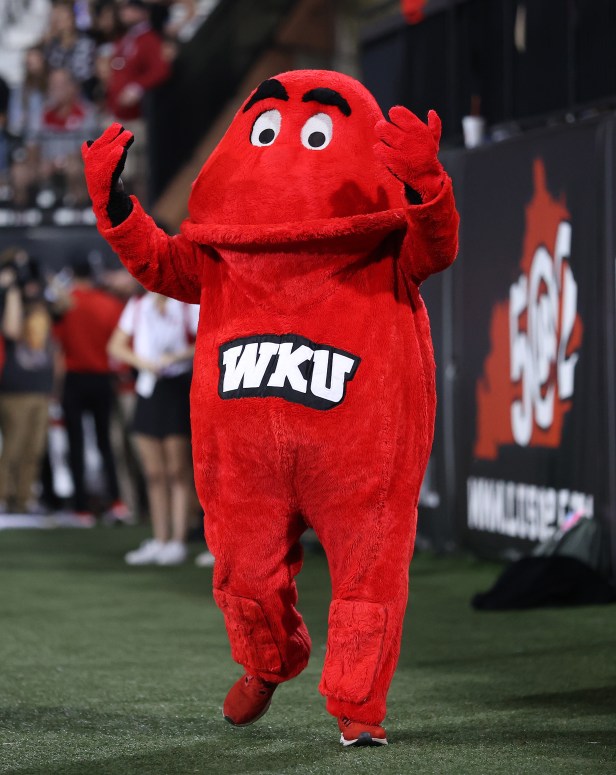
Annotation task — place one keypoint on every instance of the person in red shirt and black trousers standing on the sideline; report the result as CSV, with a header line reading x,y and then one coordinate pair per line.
x,y
88,317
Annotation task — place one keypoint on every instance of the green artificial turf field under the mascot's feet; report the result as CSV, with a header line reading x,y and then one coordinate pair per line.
x,y
110,670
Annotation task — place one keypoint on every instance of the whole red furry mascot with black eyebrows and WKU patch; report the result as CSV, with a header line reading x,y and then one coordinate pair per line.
x,y
311,227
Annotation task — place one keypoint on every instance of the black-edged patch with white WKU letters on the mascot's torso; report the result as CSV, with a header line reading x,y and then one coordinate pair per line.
x,y
289,367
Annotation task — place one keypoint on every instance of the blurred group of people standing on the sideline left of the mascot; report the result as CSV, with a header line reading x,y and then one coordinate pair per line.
x,y
94,402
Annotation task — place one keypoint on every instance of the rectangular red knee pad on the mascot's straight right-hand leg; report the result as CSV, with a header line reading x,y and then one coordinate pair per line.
x,y
354,646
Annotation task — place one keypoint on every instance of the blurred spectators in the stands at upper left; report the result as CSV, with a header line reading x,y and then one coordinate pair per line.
x,y
69,69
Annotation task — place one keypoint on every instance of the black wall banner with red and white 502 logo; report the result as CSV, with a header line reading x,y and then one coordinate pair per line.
x,y
534,392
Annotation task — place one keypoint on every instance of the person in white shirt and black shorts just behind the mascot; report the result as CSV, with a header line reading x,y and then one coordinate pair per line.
x,y
156,335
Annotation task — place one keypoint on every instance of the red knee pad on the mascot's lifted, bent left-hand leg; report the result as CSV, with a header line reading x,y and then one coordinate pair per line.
x,y
252,643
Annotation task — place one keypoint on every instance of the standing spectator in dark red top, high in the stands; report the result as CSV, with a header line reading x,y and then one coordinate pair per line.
x,y
138,65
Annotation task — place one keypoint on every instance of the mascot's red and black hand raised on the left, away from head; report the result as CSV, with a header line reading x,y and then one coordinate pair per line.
x,y
104,160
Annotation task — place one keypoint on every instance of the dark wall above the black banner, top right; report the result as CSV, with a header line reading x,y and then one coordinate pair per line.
x,y
513,62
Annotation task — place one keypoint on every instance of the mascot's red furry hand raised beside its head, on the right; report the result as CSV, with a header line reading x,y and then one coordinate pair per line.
x,y
409,148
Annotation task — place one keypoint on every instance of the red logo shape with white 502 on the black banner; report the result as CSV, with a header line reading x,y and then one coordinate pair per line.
x,y
528,381
